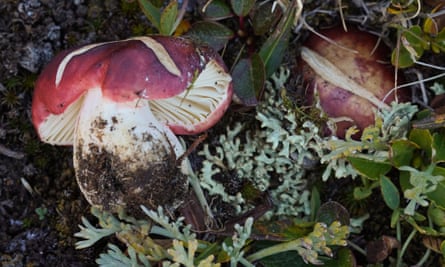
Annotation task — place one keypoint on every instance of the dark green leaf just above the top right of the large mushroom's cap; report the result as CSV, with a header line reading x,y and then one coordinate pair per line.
x,y
212,33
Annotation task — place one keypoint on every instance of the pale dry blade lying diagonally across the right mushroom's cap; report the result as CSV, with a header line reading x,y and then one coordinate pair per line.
x,y
329,72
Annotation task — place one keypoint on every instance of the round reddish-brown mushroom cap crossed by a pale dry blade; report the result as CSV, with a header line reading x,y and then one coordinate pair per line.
x,y
348,76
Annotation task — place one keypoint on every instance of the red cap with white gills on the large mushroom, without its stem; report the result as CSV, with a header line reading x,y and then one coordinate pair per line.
x,y
190,81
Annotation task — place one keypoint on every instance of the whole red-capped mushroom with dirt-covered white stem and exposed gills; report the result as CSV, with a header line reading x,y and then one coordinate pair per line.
x,y
120,105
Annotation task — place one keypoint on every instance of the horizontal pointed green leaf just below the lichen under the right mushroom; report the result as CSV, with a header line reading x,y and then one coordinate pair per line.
x,y
369,168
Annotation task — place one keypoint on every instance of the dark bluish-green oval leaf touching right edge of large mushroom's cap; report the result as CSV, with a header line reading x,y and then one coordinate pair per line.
x,y
248,79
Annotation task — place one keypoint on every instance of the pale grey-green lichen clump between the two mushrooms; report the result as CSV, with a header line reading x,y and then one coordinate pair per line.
x,y
271,157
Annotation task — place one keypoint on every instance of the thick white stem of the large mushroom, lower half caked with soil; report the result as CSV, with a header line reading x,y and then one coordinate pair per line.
x,y
123,156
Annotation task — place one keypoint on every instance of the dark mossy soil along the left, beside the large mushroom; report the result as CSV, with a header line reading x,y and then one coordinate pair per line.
x,y
40,202
